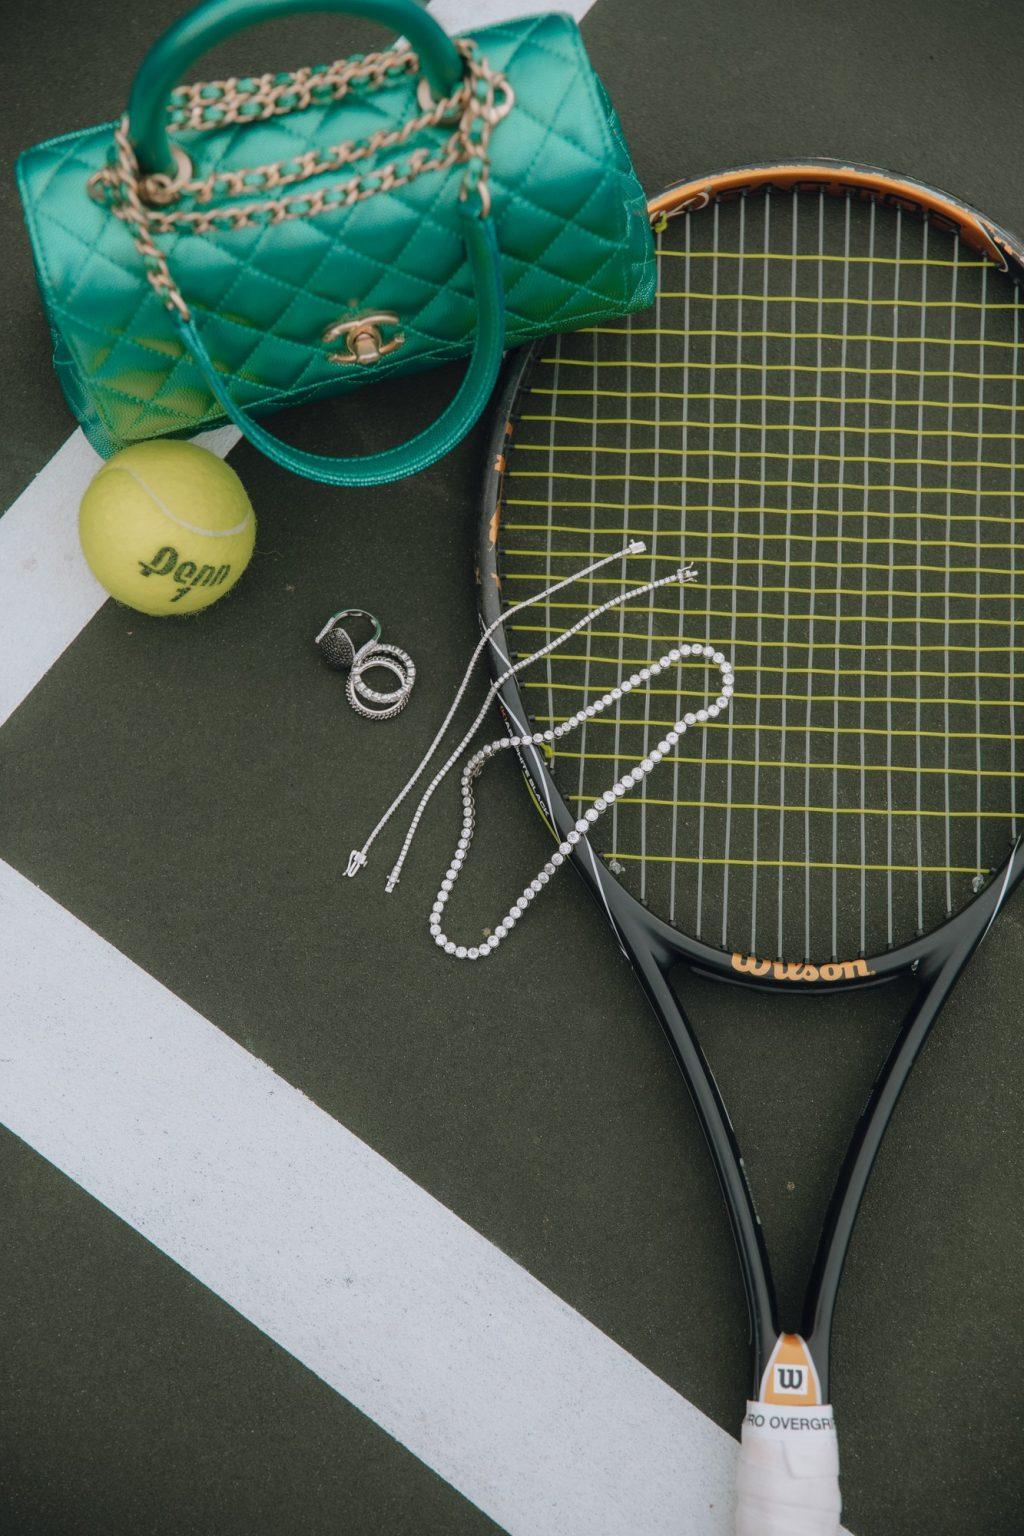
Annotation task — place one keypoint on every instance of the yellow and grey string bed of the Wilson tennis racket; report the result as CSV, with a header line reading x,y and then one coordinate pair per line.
x,y
825,409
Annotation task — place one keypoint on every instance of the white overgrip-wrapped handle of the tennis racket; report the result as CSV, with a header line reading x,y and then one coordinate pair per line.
x,y
790,1474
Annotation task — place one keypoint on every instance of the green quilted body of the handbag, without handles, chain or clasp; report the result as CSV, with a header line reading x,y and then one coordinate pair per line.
x,y
570,216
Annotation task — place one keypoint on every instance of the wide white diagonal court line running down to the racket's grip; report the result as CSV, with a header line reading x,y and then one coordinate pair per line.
x,y
487,1377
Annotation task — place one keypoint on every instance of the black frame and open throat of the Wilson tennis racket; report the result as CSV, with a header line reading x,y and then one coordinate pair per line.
x,y
936,961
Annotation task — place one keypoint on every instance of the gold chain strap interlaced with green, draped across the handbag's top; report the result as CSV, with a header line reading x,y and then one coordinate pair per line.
x,y
481,102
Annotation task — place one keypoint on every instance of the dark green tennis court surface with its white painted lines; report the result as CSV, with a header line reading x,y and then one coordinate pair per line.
x,y
309,1230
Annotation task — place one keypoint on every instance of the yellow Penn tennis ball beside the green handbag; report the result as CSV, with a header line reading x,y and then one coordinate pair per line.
x,y
167,528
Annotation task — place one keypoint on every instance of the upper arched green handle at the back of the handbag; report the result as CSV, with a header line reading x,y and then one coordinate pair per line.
x,y
173,55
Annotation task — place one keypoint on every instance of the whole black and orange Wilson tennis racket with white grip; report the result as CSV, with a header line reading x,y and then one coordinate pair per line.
x,y
821,414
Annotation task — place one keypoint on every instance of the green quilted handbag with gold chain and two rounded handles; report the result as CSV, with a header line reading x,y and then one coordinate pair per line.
x,y
239,247
